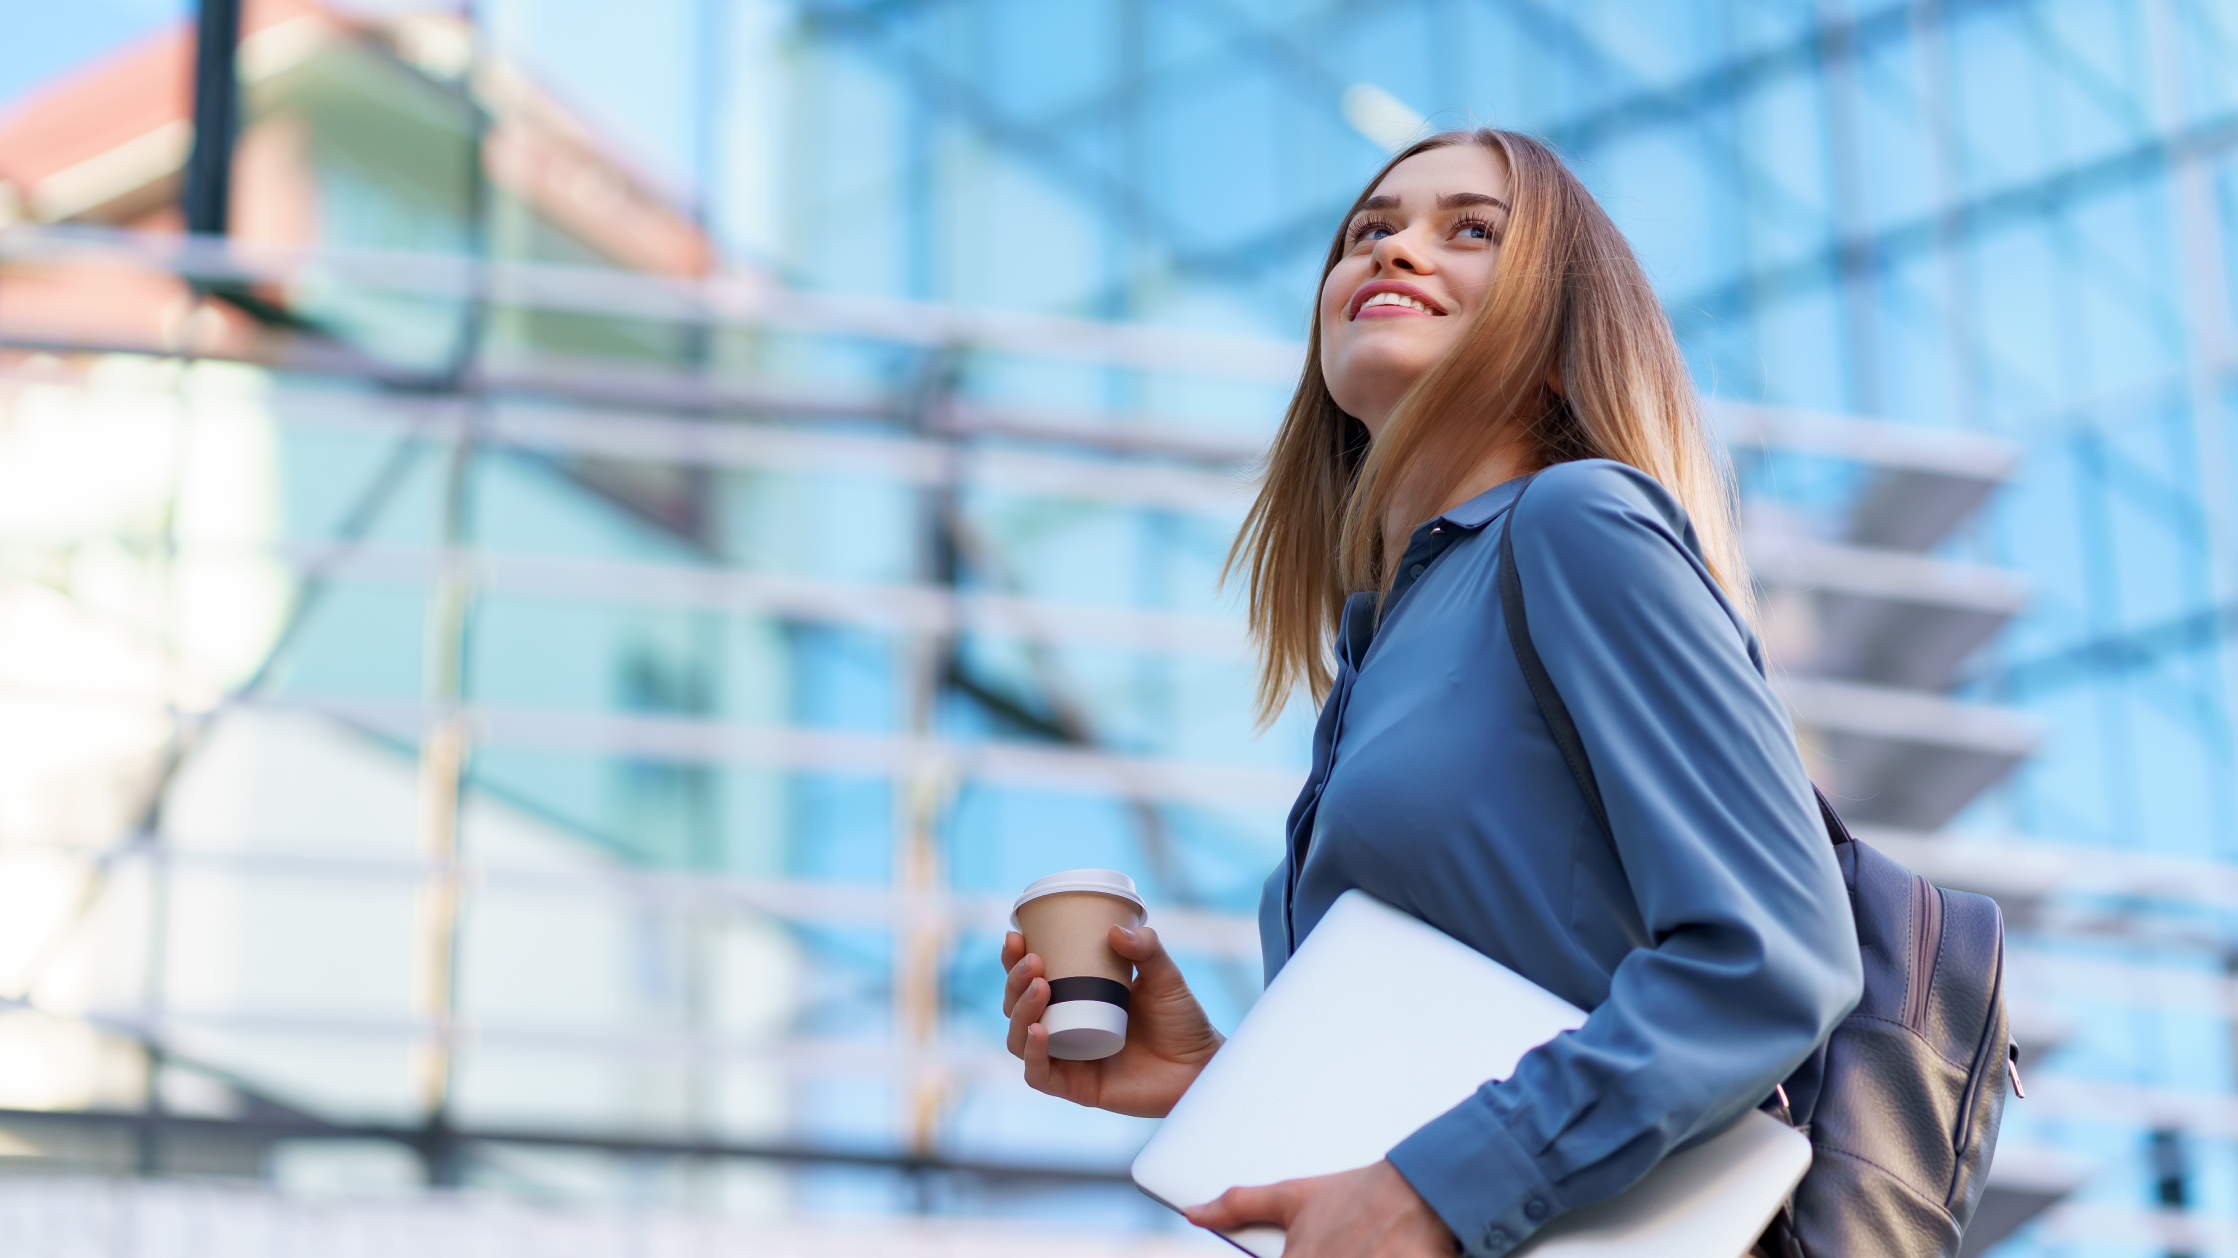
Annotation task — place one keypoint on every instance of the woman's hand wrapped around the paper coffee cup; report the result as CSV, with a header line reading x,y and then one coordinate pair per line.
x,y
1167,1033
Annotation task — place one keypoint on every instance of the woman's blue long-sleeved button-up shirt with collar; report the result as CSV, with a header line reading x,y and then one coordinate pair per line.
x,y
1711,943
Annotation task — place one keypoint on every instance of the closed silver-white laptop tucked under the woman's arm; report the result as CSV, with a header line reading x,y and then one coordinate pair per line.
x,y
1377,1026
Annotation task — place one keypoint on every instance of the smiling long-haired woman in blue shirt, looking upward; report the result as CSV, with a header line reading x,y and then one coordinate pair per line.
x,y
1480,328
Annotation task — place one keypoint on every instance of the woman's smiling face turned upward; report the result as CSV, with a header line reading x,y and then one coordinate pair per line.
x,y
1418,265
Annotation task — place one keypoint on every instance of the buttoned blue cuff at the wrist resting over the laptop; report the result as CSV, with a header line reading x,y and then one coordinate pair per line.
x,y
1478,1181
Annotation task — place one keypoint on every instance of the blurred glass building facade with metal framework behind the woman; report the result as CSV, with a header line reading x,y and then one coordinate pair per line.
x,y
523,682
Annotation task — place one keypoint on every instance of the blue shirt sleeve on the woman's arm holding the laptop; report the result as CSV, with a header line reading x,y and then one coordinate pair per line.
x,y
1753,955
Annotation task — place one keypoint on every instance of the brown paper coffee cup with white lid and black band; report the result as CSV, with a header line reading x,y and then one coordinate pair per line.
x,y
1066,919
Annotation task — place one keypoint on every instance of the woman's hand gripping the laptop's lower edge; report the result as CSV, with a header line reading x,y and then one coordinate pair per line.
x,y
1355,1214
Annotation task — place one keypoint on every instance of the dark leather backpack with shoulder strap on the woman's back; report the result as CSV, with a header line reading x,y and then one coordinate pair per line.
x,y
1906,1096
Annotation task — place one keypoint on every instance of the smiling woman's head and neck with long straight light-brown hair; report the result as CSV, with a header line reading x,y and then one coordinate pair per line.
x,y
1570,357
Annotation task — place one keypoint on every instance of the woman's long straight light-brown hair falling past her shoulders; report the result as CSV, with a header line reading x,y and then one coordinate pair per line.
x,y
1568,303
